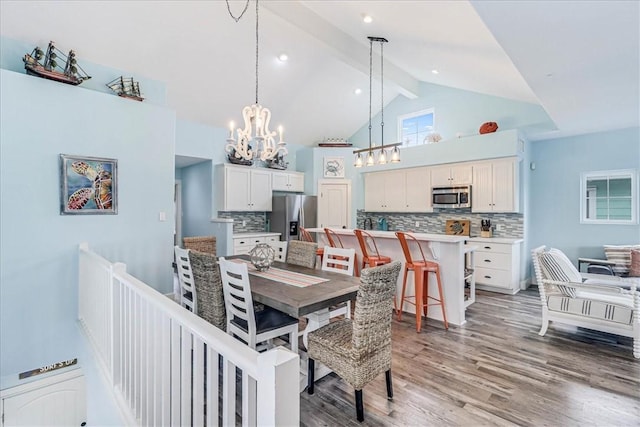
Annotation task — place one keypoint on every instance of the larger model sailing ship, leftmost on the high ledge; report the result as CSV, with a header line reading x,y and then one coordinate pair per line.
x,y
49,68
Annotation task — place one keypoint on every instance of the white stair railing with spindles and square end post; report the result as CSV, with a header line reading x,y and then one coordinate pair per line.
x,y
167,366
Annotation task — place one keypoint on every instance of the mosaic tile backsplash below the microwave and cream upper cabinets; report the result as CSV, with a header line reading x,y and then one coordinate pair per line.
x,y
512,224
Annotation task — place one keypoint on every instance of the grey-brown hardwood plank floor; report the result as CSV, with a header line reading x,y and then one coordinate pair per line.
x,y
494,370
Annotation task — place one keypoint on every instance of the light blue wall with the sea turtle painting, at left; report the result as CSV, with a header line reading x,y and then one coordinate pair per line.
x,y
39,265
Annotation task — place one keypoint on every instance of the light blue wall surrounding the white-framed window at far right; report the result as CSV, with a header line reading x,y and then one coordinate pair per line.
x,y
554,211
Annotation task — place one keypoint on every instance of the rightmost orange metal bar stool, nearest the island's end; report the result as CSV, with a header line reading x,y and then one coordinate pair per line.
x,y
421,270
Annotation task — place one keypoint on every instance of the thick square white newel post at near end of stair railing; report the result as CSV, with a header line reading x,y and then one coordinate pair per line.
x,y
278,388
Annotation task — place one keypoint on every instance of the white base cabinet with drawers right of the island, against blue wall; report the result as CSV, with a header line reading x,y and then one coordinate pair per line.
x,y
497,264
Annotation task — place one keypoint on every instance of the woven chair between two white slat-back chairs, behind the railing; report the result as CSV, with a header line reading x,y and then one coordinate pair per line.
x,y
208,284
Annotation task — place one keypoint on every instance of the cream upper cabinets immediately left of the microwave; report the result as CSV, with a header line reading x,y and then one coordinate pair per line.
x,y
400,190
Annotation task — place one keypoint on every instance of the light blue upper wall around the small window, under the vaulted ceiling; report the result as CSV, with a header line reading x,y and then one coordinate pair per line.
x,y
456,112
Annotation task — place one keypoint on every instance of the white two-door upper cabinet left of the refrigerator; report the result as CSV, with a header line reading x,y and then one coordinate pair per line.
x,y
244,188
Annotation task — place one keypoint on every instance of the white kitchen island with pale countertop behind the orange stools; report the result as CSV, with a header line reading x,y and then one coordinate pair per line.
x,y
448,251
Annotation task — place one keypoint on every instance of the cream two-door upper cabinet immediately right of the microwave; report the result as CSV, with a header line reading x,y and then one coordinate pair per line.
x,y
495,186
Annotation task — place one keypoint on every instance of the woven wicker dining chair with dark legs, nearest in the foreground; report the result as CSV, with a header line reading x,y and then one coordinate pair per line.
x,y
359,350
